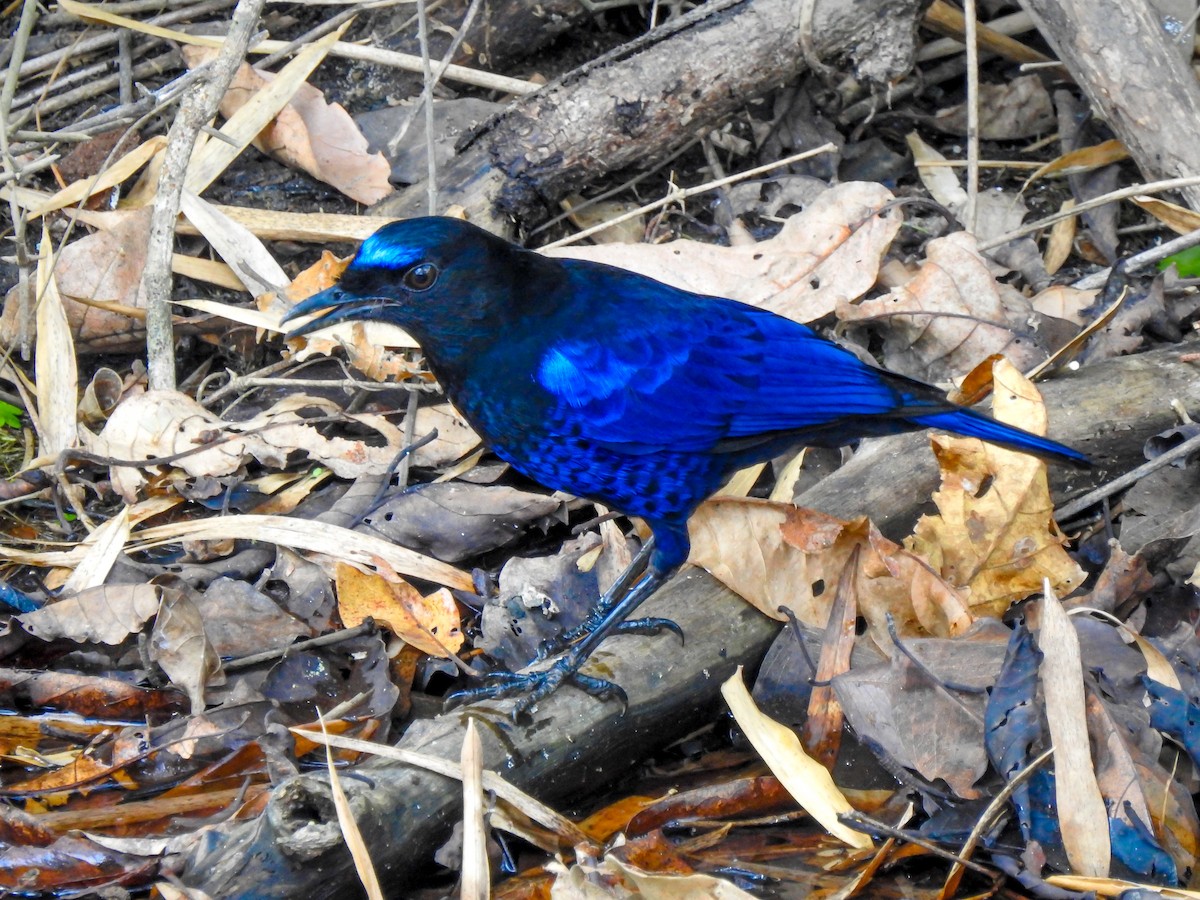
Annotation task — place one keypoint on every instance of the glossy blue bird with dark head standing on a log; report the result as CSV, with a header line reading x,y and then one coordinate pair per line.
x,y
617,388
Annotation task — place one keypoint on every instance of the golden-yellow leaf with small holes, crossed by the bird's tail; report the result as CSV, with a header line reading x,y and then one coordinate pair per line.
x,y
994,538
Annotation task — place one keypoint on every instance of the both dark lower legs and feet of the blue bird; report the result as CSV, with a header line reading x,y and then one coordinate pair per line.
x,y
608,620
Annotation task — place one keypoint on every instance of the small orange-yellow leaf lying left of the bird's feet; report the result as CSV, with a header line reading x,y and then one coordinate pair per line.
x,y
430,623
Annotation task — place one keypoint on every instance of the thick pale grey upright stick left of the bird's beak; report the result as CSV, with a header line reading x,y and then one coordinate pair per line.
x,y
195,112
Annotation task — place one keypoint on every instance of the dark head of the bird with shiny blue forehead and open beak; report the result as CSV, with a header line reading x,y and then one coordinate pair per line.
x,y
442,280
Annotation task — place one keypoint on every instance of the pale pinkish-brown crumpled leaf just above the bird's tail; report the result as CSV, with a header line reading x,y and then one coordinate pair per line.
x,y
970,317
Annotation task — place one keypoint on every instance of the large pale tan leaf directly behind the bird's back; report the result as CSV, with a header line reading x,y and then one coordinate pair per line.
x,y
829,254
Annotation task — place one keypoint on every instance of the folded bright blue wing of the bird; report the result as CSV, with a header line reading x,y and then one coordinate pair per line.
x,y
662,369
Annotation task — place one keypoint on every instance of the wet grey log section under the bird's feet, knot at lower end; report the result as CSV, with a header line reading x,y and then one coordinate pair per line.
x,y
575,746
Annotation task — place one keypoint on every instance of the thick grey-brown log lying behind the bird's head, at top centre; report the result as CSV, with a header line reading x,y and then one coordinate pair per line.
x,y
633,109
